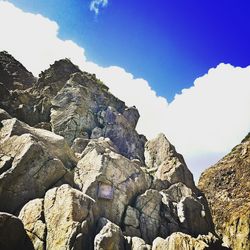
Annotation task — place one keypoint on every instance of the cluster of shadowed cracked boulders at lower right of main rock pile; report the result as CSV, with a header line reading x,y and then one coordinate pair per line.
x,y
171,210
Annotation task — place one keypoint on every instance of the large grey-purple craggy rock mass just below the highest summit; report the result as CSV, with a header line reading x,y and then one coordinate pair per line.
x,y
76,110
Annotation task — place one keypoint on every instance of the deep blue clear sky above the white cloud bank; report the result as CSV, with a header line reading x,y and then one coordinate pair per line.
x,y
169,43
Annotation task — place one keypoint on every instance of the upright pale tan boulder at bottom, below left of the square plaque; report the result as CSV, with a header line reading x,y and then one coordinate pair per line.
x,y
69,218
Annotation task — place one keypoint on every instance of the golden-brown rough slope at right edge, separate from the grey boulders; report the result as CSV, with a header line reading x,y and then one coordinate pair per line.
x,y
227,187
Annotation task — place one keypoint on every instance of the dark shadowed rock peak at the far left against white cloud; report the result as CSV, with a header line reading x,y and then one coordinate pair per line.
x,y
13,74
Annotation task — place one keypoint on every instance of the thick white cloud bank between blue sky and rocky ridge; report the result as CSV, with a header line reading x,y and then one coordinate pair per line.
x,y
203,122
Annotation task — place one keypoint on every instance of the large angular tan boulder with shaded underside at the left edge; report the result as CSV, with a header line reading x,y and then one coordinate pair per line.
x,y
27,161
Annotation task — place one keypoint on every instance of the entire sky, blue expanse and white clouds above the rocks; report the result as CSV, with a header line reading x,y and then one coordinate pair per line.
x,y
185,62
